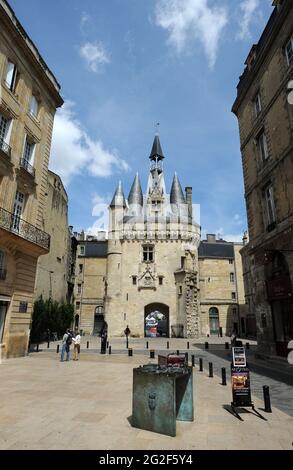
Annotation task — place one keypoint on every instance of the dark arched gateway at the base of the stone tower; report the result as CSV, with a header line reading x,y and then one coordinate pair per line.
x,y
156,320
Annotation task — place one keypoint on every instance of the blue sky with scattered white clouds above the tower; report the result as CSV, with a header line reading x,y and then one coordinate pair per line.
x,y
125,65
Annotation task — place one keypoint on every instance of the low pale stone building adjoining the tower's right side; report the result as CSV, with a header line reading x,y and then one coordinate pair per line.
x,y
222,299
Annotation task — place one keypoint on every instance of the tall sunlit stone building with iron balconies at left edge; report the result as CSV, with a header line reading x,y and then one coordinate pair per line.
x,y
29,96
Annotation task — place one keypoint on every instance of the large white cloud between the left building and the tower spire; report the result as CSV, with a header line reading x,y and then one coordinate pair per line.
x,y
74,151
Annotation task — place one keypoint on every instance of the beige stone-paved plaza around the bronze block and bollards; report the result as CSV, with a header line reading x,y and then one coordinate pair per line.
x,y
46,404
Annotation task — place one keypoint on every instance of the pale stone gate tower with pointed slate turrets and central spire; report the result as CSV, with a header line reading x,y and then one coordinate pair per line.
x,y
152,268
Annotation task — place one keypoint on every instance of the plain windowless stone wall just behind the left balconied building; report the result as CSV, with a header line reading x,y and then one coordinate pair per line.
x,y
53,269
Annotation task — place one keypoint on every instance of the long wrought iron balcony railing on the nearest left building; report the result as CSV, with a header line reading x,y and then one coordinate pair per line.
x,y
23,229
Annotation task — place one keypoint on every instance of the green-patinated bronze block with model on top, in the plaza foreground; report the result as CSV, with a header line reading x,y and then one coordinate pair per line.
x,y
162,394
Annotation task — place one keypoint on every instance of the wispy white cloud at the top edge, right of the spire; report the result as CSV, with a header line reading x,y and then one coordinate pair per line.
x,y
192,20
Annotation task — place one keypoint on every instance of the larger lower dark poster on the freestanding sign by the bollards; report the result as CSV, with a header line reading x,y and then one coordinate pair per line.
x,y
241,386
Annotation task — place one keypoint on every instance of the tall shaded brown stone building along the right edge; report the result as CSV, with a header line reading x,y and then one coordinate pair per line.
x,y
266,121
